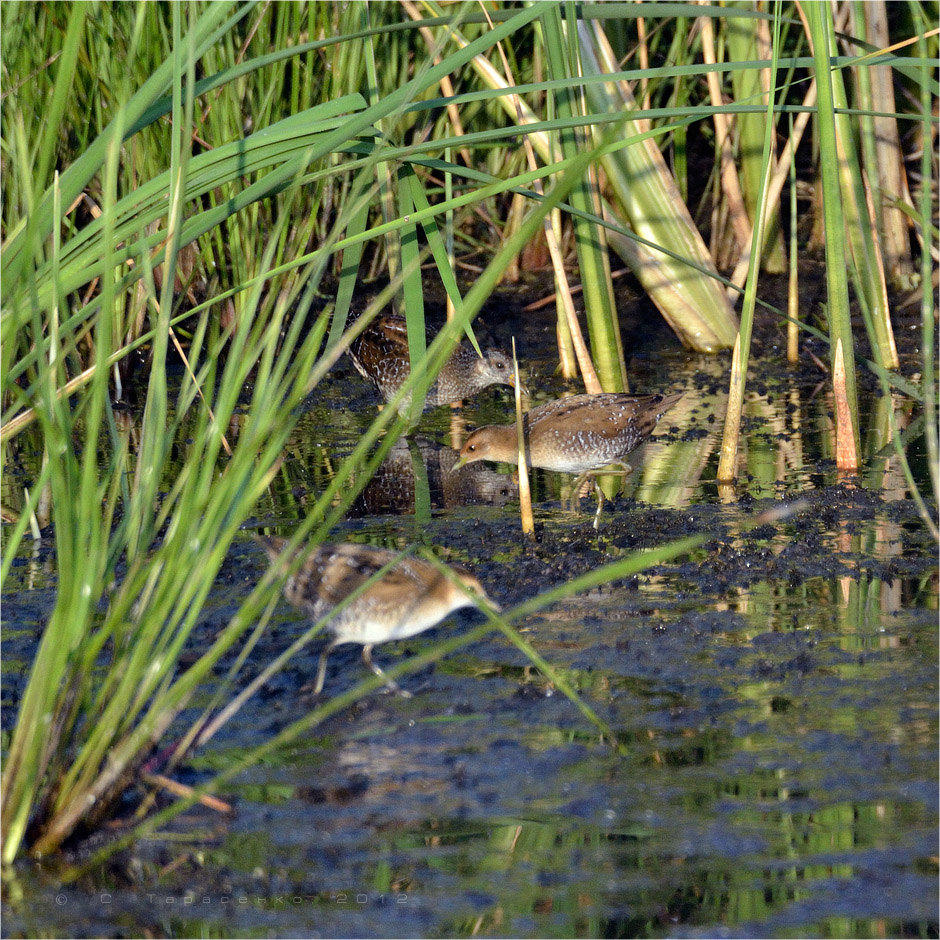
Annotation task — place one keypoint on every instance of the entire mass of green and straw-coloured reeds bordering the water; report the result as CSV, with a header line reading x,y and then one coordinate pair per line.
x,y
210,184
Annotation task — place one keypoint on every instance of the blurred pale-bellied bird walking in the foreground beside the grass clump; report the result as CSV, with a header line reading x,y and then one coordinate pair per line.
x,y
410,597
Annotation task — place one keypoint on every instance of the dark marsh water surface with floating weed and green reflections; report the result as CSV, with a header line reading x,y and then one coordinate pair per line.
x,y
773,697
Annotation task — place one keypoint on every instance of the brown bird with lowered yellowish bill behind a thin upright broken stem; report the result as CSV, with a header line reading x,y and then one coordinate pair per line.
x,y
578,434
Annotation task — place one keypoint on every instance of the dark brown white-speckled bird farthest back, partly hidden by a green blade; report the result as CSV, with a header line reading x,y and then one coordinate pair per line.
x,y
380,354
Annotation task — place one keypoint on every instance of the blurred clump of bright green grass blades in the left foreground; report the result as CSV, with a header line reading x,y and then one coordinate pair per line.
x,y
138,549
